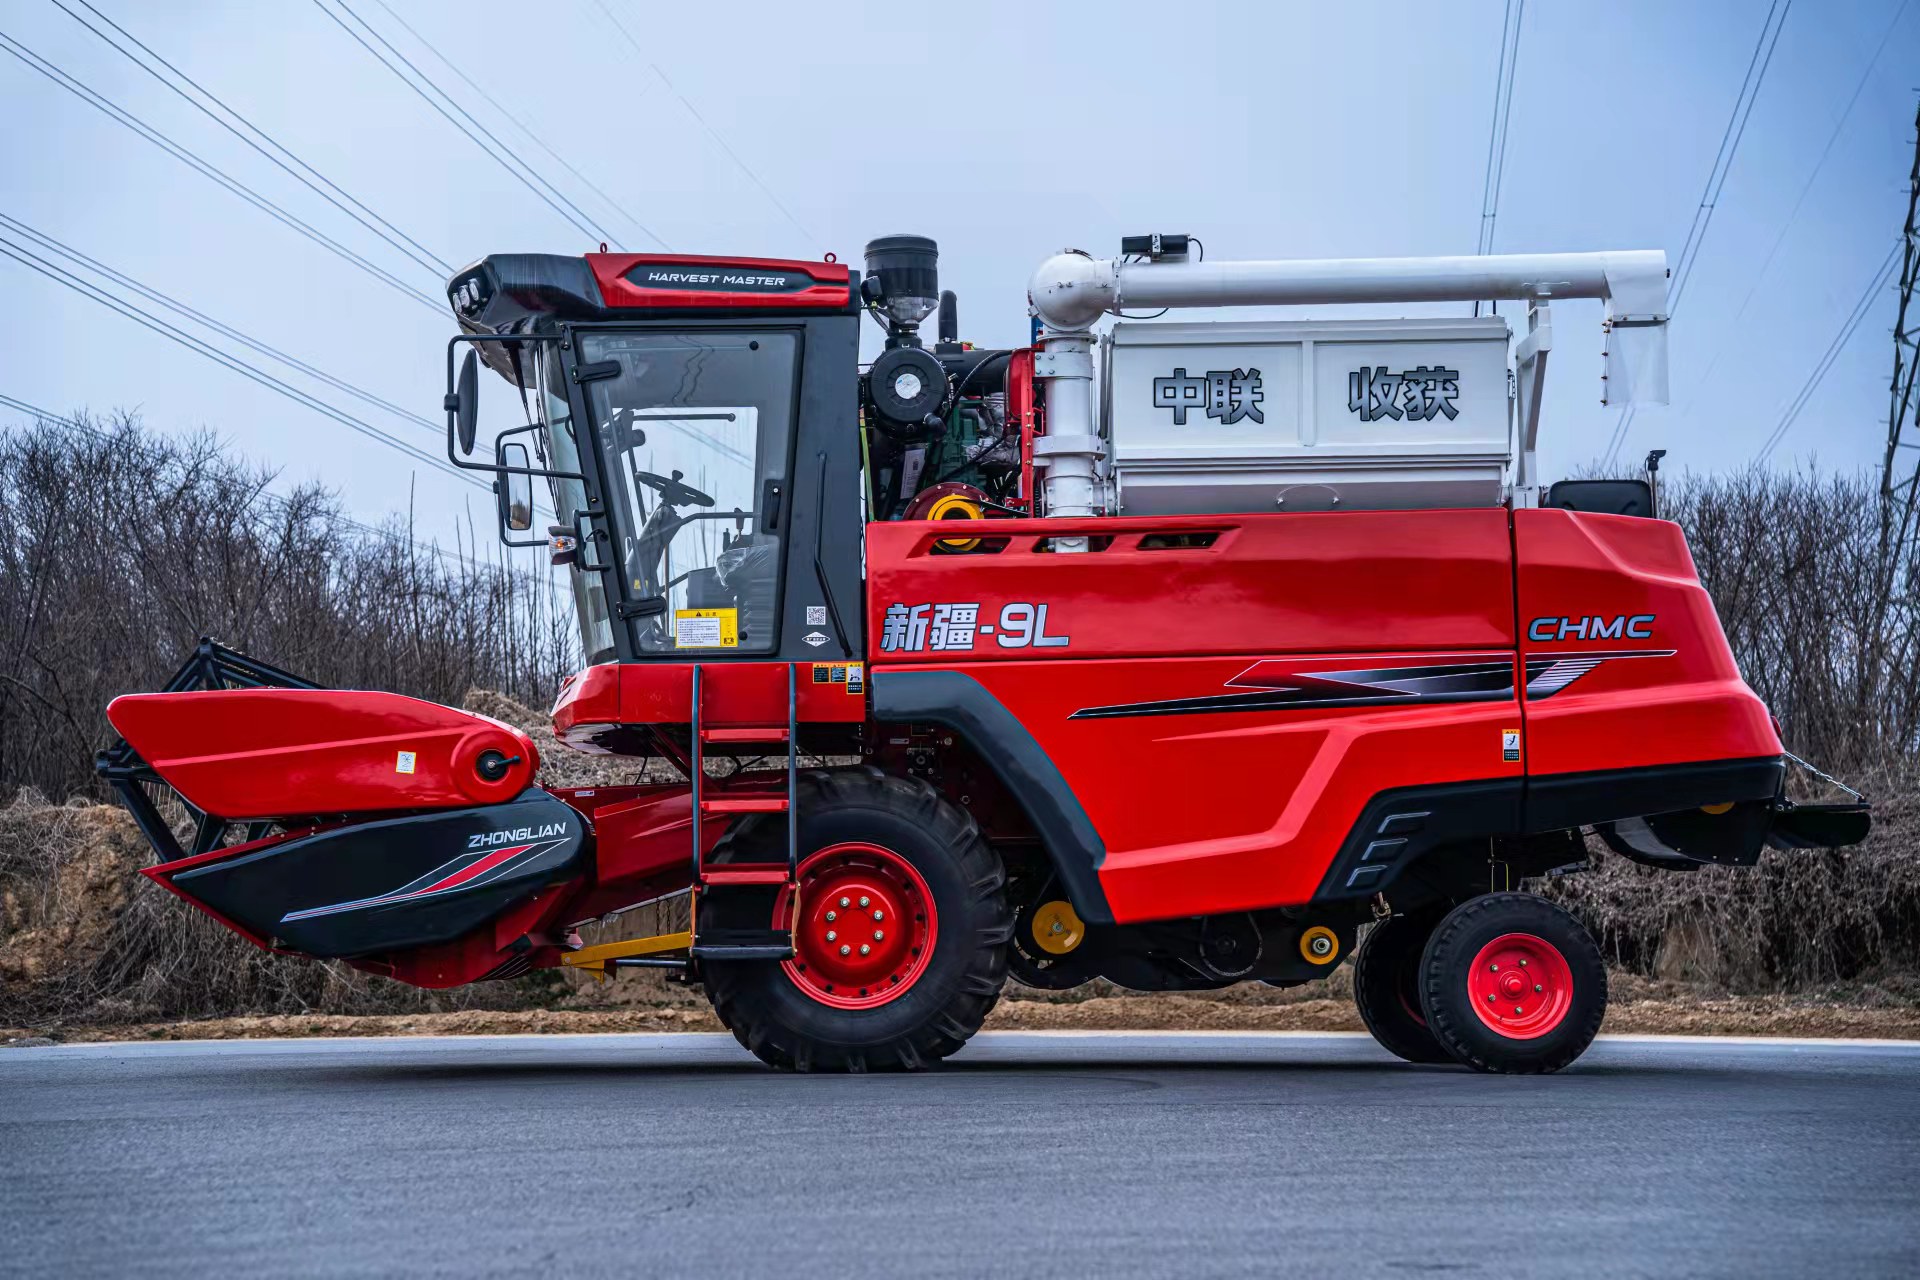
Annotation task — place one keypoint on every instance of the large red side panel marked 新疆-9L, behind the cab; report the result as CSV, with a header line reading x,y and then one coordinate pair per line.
x,y
1222,711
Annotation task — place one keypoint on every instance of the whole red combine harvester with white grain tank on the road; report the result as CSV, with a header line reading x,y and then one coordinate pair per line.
x,y
1172,653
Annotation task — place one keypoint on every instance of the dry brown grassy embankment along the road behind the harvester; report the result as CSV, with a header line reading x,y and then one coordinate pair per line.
x,y
1823,945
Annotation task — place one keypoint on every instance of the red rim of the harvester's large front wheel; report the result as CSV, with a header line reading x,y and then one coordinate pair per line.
x,y
867,926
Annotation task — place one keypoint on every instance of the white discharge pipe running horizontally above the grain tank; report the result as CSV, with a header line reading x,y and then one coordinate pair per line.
x,y
1072,291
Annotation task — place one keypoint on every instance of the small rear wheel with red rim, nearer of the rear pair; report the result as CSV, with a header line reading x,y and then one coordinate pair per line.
x,y
1514,984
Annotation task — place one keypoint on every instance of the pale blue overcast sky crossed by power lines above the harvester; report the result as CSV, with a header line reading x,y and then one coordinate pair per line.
x,y
1005,131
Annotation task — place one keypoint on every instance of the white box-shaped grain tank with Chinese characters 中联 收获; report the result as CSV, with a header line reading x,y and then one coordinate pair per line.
x,y
1332,415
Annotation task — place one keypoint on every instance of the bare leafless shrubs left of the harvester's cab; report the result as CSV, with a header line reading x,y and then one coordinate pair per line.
x,y
120,550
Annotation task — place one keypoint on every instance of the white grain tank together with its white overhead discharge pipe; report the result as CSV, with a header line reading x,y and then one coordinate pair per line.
x,y
1332,429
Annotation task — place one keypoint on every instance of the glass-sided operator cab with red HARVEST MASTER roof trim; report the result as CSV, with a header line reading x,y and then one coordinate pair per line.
x,y
679,408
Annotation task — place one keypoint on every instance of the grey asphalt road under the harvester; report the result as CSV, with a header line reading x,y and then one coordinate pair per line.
x,y
1030,1156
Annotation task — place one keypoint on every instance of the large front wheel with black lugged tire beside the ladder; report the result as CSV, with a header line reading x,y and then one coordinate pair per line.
x,y
930,861
